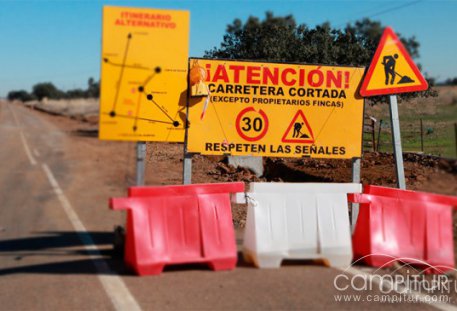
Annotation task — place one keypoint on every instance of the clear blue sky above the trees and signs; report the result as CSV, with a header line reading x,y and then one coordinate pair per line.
x,y
59,41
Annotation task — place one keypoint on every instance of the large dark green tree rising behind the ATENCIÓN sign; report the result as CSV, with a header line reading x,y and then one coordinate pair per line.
x,y
280,39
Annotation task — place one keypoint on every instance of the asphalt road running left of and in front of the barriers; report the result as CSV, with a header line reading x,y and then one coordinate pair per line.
x,y
56,234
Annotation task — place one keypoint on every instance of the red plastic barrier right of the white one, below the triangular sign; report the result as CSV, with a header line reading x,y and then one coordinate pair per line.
x,y
413,227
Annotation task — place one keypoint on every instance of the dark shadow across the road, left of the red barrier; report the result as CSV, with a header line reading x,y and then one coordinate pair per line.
x,y
60,253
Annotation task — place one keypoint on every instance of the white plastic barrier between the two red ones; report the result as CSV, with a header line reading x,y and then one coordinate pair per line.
x,y
298,221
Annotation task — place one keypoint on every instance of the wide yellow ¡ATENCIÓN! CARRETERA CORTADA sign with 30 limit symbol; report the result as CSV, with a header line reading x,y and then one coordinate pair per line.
x,y
268,109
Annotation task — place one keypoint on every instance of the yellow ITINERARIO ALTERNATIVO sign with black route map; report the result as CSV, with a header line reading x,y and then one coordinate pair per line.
x,y
143,74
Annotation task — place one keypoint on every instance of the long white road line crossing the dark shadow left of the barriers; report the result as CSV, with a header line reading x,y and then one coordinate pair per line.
x,y
113,285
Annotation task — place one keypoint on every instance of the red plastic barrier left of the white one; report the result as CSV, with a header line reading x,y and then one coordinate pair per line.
x,y
179,224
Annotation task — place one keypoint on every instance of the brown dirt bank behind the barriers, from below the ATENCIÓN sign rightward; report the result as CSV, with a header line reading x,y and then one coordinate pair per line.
x,y
421,171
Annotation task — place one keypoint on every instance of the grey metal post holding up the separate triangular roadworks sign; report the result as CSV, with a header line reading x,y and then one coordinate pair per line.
x,y
396,141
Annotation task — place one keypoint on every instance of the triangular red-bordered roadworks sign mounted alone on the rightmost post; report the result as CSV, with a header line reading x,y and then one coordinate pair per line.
x,y
392,70
